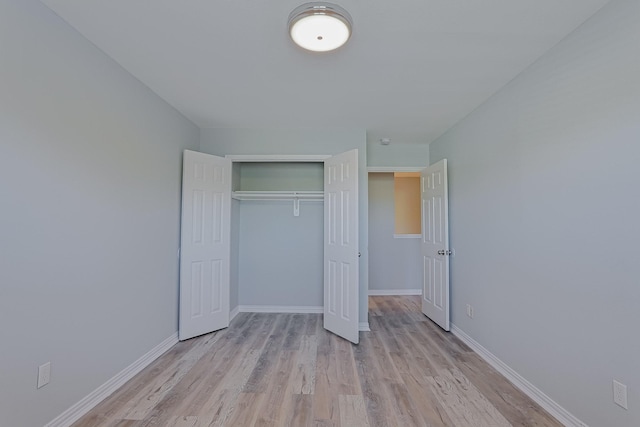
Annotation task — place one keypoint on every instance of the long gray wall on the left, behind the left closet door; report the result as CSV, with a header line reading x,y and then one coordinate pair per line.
x,y
90,171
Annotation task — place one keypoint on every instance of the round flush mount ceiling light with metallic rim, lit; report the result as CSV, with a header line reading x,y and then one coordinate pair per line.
x,y
320,26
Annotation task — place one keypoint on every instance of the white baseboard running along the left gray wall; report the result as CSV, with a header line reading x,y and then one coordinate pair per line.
x,y
76,411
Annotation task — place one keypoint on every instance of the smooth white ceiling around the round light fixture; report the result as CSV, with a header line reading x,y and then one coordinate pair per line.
x,y
412,69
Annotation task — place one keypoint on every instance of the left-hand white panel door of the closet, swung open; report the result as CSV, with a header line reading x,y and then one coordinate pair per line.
x,y
205,246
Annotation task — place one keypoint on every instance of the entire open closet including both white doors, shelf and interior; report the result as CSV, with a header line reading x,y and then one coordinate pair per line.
x,y
269,237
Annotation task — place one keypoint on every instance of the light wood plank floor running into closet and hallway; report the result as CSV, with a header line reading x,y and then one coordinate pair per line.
x,y
286,370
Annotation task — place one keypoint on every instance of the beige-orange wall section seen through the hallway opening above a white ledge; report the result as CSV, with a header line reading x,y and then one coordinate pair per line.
x,y
407,201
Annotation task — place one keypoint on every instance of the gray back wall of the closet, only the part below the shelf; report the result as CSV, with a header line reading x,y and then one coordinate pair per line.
x,y
280,258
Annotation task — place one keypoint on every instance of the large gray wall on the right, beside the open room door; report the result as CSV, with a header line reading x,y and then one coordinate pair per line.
x,y
544,215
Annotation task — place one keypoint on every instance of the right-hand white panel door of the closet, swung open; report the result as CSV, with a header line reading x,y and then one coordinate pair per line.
x,y
341,277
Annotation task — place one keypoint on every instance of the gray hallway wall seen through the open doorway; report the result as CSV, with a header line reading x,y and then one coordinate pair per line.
x,y
394,264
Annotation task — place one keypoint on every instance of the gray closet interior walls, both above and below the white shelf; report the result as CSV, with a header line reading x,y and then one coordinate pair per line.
x,y
277,257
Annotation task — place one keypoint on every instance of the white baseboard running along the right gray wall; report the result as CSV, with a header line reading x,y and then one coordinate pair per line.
x,y
557,411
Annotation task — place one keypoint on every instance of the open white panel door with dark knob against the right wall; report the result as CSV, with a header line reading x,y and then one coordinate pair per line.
x,y
435,244
